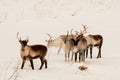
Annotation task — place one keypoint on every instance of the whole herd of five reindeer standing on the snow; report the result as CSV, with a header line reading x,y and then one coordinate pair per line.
x,y
76,44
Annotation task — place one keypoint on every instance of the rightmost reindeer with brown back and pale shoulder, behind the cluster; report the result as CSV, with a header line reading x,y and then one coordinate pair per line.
x,y
93,41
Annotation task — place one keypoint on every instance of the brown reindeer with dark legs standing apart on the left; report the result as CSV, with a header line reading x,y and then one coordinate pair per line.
x,y
30,52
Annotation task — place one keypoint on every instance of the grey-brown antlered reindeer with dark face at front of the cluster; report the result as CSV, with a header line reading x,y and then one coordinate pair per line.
x,y
80,46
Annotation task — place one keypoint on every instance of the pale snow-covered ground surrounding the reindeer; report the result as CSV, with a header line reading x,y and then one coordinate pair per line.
x,y
35,18
